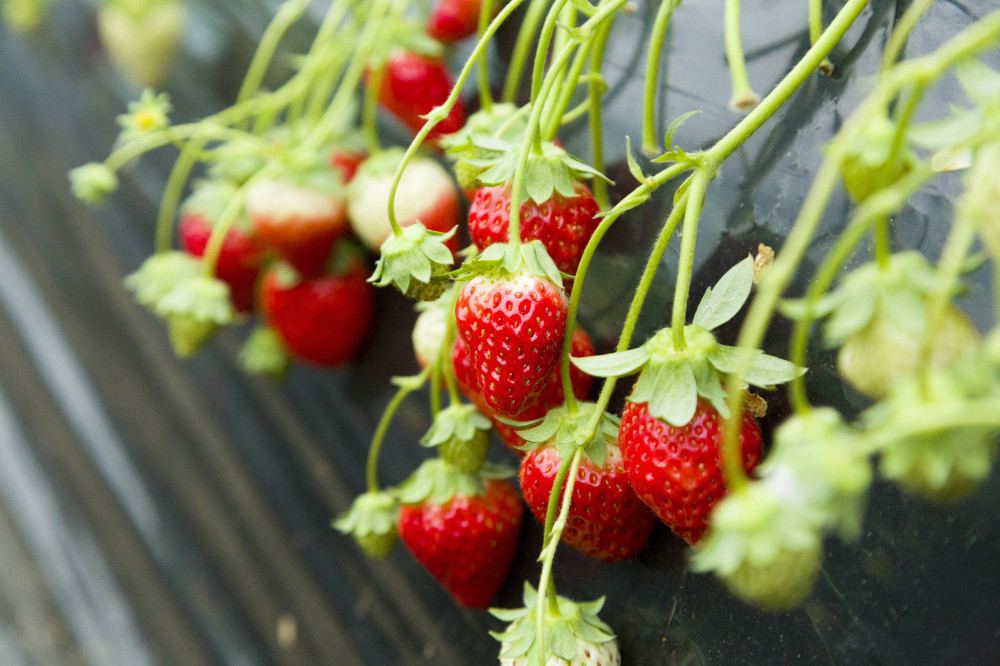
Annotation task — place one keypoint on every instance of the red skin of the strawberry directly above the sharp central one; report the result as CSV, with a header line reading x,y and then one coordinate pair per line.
x,y
563,224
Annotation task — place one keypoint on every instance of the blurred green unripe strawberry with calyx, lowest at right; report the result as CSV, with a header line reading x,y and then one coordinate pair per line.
x,y
764,544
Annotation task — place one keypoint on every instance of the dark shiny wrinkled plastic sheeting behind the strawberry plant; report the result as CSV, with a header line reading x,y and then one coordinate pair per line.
x,y
163,511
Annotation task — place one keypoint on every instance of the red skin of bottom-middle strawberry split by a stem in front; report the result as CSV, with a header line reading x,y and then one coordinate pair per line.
x,y
606,519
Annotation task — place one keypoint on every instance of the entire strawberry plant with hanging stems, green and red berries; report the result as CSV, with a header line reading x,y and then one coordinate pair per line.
x,y
500,333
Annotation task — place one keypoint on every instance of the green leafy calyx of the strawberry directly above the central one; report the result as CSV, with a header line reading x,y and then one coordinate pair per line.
x,y
547,172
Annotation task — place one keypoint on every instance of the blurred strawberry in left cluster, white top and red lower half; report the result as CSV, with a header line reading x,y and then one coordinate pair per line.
x,y
300,215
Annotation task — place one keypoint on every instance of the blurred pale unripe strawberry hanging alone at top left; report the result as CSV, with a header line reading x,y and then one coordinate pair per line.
x,y
141,38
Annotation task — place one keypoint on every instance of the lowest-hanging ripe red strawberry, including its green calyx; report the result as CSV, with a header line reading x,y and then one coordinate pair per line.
x,y
463,529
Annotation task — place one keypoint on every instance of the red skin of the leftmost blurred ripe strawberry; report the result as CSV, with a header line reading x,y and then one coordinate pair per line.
x,y
239,258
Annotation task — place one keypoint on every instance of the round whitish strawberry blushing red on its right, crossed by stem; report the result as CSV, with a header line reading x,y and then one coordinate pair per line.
x,y
426,194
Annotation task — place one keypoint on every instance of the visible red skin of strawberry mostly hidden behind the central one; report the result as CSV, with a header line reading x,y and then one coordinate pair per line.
x,y
552,395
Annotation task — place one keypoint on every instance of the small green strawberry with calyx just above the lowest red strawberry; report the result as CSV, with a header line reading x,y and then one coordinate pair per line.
x,y
461,434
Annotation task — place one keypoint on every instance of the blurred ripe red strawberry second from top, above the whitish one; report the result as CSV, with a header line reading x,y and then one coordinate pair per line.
x,y
413,84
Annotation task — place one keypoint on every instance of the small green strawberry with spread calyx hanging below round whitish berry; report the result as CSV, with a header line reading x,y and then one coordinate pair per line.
x,y
415,261
